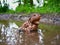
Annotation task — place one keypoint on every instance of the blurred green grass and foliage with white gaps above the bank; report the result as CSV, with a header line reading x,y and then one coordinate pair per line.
x,y
29,6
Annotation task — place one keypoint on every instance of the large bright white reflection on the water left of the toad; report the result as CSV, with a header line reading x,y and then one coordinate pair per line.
x,y
9,33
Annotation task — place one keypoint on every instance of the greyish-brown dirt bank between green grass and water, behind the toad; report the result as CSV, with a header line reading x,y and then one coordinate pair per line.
x,y
46,18
